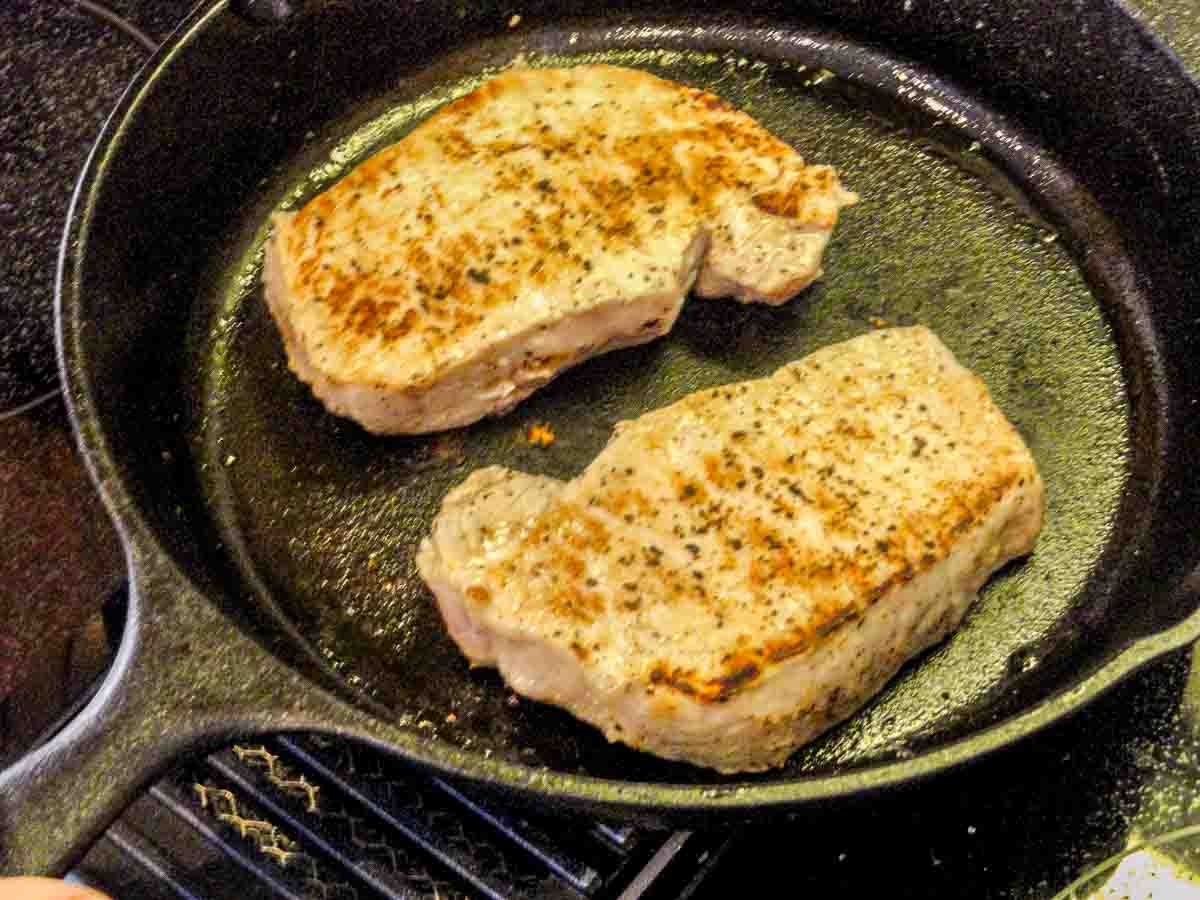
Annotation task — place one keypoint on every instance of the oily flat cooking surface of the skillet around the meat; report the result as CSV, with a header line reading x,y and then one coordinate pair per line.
x,y
329,518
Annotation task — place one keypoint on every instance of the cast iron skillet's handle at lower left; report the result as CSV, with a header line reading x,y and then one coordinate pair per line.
x,y
185,680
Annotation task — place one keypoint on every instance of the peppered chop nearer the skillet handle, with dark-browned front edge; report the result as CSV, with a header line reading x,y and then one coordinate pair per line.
x,y
739,572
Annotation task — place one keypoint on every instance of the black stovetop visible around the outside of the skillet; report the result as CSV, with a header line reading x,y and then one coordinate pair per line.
x,y
1023,825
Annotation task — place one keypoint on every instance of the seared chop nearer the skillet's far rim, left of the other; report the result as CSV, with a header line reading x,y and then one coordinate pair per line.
x,y
547,218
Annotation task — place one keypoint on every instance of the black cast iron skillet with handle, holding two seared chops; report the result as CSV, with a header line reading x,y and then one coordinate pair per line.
x,y
1029,173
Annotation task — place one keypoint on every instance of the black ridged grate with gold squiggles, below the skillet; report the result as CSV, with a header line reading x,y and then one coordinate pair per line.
x,y
314,819
